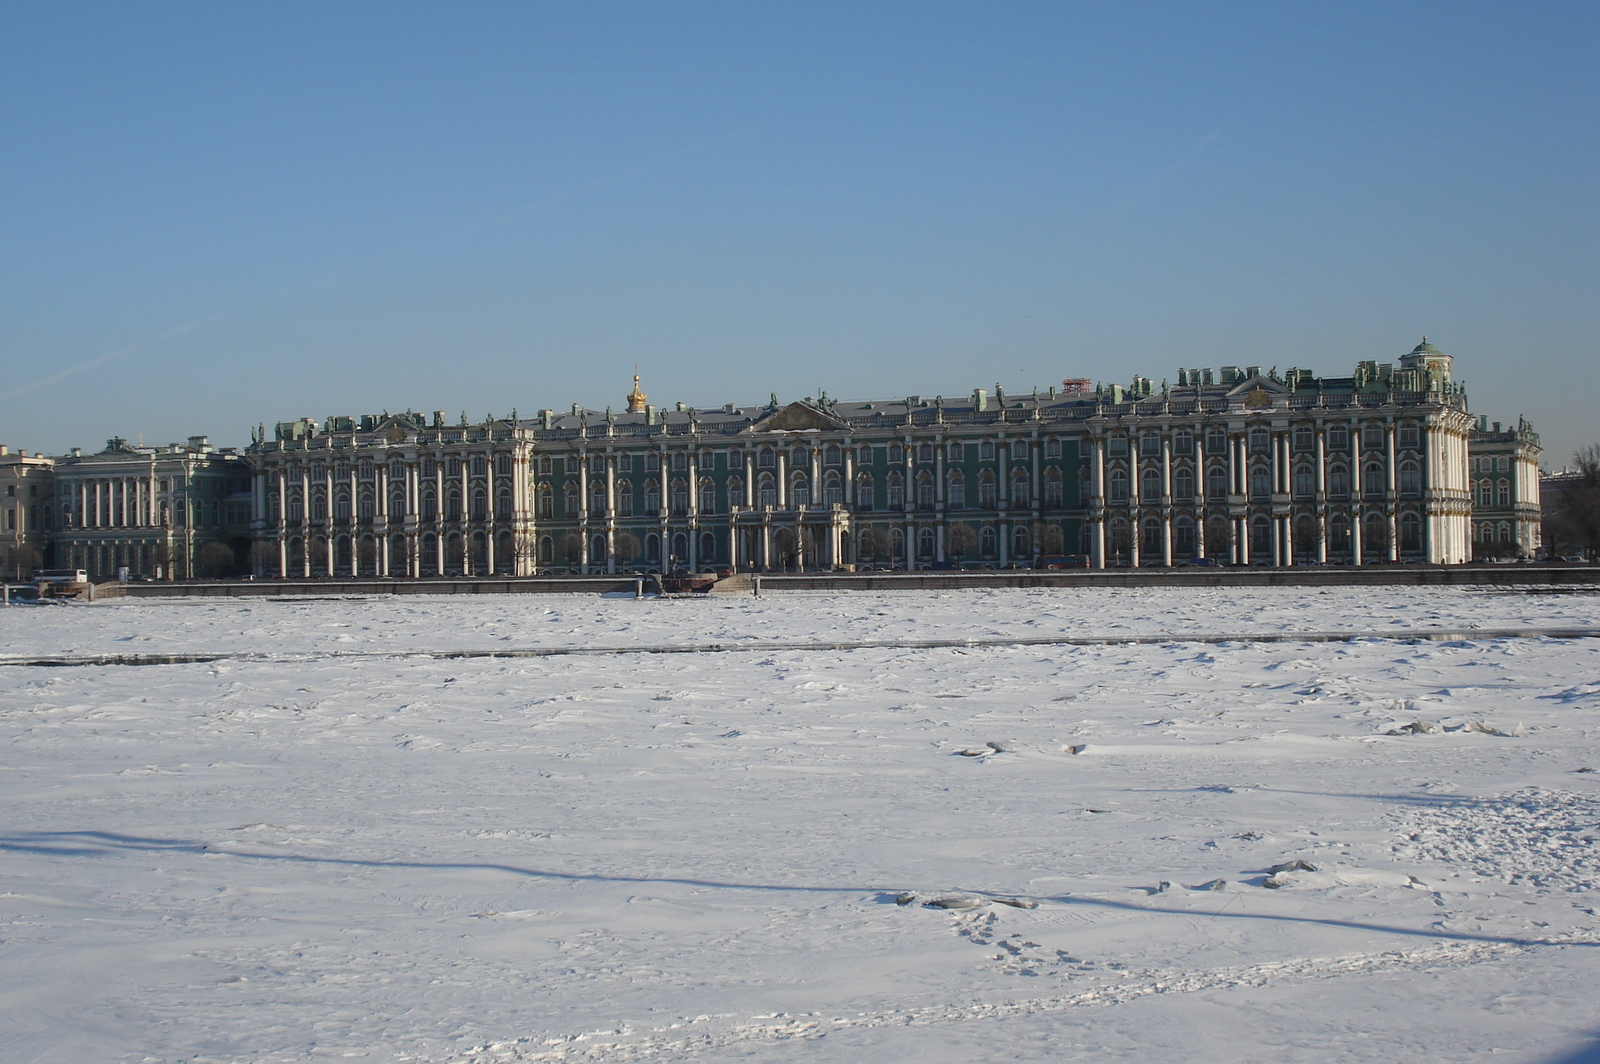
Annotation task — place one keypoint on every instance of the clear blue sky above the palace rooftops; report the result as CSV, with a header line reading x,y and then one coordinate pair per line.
x,y
238,214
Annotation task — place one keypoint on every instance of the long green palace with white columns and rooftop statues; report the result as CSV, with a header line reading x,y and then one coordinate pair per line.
x,y
1241,466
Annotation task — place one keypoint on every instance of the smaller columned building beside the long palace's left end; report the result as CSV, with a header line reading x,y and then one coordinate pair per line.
x,y
177,511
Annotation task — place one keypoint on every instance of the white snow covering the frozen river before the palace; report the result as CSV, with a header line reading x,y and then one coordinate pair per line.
x,y
348,847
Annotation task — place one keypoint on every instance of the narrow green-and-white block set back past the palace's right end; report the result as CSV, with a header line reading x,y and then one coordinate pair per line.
x,y
1503,468
